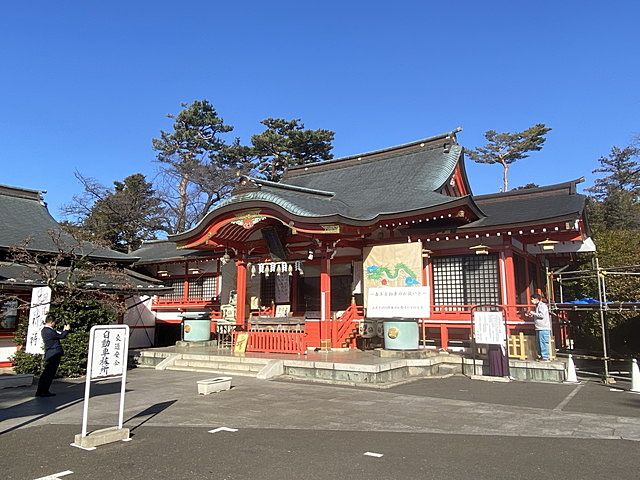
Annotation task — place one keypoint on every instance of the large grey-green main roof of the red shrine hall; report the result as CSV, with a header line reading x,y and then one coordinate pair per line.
x,y
362,187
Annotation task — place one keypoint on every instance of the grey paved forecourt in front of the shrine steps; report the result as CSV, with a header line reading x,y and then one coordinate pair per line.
x,y
434,428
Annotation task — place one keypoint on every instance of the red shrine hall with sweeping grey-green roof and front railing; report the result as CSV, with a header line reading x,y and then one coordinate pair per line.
x,y
298,247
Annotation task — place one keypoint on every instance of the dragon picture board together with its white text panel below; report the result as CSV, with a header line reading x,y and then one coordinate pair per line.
x,y
393,284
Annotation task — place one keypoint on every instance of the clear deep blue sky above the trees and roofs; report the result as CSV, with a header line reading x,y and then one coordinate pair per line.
x,y
86,85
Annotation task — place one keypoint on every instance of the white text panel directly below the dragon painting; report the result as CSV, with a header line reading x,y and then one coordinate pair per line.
x,y
389,302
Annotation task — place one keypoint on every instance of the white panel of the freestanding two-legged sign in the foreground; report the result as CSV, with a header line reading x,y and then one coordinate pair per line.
x,y
108,345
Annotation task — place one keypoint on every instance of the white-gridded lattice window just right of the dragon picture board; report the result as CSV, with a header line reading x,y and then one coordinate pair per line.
x,y
466,280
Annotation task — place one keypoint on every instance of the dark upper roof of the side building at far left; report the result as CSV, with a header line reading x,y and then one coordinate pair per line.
x,y
26,221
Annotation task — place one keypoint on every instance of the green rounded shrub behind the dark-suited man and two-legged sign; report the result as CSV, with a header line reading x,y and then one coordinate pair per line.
x,y
81,316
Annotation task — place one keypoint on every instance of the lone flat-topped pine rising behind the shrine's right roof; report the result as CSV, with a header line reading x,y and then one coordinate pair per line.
x,y
506,148
